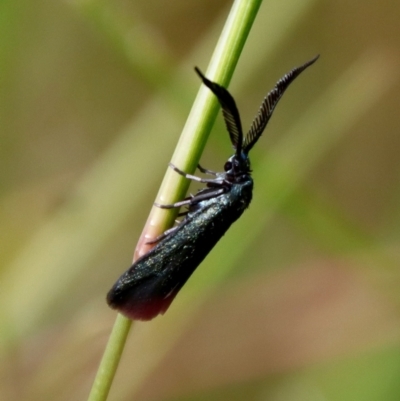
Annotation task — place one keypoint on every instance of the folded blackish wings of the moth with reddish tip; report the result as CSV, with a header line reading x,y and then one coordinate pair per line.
x,y
149,286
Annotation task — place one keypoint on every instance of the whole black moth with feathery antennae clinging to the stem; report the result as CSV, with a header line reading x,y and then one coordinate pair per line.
x,y
149,286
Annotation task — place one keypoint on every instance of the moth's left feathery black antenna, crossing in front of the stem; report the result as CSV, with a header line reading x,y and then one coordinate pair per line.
x,y
229,111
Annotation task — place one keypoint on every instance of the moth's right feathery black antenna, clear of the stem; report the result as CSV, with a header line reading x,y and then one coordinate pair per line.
x,y
268,105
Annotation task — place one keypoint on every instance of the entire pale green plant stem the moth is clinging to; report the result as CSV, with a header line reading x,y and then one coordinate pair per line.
x,y
186,157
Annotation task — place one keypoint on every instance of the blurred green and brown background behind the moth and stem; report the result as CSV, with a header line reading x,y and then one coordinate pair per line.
x,y
300,300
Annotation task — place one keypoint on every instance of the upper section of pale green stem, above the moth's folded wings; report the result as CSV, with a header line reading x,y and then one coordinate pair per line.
x,y
200,120
